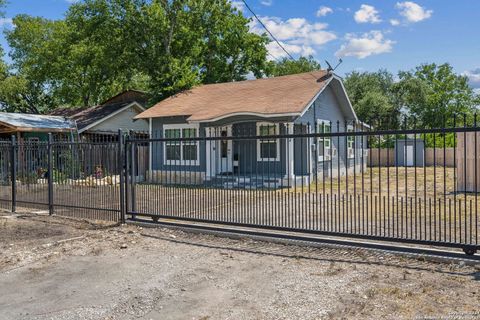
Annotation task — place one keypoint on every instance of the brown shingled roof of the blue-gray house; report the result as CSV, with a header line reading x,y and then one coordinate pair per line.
x,y
279,95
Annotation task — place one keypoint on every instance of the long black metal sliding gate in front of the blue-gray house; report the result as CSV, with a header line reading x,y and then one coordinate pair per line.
x,y
314,180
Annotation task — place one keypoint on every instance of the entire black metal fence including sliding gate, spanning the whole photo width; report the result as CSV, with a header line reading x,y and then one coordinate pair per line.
x,y
280,177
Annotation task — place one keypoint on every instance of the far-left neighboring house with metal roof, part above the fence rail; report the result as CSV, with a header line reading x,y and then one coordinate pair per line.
x,y
35,127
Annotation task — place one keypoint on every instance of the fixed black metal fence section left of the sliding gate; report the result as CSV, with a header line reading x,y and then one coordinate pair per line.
x,y
78,179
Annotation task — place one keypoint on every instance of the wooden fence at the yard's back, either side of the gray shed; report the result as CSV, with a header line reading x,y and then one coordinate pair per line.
x,y
385,157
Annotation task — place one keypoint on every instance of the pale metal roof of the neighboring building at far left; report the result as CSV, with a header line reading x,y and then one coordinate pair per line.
x,y
35,123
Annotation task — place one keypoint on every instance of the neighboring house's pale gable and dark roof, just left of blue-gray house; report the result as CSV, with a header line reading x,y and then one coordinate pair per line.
x,y
104,120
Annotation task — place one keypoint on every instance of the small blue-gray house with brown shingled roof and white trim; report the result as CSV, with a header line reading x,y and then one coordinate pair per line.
x,y
301,103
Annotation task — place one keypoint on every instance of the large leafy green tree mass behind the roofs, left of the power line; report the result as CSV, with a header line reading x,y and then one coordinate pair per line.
x,y
105,46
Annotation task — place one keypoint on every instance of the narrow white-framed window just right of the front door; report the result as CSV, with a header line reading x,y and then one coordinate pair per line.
x,y
268,149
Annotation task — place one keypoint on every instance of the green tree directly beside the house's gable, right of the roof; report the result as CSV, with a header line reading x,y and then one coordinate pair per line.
x,y
372,98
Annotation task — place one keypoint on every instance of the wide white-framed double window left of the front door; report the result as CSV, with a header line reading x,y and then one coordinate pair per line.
x,y
179,151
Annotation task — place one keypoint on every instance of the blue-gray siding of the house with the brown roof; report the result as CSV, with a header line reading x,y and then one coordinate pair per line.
x,y
326,107
